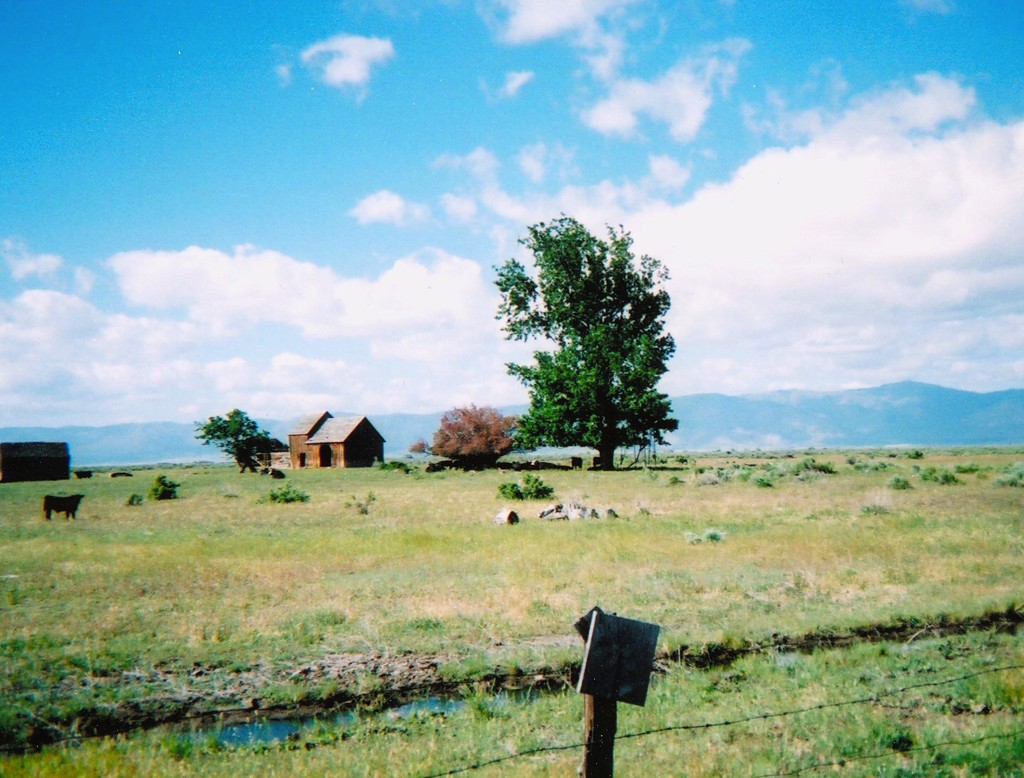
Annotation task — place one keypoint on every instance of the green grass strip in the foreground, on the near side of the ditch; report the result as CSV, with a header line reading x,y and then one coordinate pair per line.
x,y
931,707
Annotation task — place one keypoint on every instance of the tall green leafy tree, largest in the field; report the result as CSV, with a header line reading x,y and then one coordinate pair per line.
x,y
603,313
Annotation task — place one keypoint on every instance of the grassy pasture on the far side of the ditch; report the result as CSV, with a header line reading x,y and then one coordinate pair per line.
x,y
223,577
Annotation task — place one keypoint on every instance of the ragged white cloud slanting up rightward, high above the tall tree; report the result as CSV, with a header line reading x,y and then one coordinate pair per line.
x,y
680,99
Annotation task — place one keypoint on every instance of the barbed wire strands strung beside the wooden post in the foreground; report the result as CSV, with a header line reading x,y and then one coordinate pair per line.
x,y
870,700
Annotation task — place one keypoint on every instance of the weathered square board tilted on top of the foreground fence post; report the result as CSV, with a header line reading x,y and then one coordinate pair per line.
x,y
619,657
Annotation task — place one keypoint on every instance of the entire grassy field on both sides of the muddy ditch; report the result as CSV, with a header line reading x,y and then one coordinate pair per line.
x,y
172,602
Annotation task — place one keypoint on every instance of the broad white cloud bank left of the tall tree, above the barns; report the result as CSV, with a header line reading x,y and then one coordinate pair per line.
x,y
209,330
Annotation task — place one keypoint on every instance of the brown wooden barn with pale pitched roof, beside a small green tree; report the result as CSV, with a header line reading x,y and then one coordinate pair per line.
x,y
323,442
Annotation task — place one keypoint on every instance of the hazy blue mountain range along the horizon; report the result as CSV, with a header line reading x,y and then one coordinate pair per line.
x,y
905,414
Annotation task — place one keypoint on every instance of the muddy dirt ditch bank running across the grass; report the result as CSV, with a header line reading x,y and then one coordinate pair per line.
x,y
338,682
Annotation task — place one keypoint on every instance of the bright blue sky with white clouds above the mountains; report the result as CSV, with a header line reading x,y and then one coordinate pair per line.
x,y
288,207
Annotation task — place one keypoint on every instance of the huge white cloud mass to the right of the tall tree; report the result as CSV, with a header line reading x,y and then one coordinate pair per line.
x,y
887,218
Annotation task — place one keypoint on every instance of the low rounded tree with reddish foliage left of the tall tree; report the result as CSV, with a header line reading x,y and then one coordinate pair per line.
x,y
475,437
